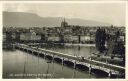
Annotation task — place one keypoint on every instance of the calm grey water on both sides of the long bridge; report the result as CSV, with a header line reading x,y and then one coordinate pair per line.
x,y
16,63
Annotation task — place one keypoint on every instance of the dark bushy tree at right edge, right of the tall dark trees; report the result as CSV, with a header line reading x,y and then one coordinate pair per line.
x,y
116,46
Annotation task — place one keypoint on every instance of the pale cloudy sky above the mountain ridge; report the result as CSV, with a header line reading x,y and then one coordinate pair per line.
x,y
112,13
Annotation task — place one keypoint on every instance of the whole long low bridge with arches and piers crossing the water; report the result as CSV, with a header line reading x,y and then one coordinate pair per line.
x,y
76,62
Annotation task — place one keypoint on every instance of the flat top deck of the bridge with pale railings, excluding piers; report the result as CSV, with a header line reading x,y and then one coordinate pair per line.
x,y
85,60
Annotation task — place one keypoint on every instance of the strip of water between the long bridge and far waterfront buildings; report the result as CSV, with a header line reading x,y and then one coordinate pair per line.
x,y
73,50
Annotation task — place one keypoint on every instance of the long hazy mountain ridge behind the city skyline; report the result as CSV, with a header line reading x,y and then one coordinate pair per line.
x,y
24,19
